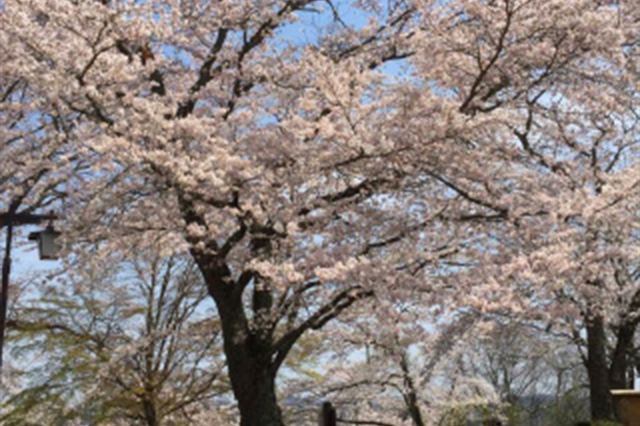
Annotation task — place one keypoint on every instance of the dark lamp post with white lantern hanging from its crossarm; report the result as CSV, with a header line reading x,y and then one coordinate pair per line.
x,y
47,249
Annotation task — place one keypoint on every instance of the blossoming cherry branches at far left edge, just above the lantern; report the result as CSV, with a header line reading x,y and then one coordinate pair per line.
x,y
37,162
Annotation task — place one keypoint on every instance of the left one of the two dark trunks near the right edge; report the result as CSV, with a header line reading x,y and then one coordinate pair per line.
x,y
598,370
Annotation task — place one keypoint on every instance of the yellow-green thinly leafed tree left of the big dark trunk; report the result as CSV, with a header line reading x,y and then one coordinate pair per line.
x,y
130,344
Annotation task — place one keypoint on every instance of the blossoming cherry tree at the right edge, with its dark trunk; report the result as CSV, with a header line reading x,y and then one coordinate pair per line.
x,y
547,157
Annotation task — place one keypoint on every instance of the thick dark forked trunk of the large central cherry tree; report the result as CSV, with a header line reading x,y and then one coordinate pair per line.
x,y
252,351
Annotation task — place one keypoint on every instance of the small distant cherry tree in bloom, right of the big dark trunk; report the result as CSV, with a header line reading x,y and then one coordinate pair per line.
x,y
395,368
